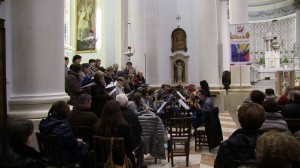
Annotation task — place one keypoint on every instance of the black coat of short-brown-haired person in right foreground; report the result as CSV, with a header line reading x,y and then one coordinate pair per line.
x,y
239,146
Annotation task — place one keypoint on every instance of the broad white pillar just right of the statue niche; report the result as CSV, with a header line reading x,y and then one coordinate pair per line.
x,y
208,42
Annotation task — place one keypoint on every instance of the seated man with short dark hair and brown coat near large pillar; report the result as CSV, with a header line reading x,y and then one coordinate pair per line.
x,y
80,115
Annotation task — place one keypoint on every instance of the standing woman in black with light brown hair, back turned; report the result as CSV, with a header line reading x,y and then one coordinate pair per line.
x,y
99,93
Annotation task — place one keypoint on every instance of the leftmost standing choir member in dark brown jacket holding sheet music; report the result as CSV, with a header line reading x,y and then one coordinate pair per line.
x,y
74,84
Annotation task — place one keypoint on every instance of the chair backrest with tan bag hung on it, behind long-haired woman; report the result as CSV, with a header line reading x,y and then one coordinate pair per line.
x,y
102,147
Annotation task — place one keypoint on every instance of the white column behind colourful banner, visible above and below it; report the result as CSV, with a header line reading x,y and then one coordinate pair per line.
x,y
238,10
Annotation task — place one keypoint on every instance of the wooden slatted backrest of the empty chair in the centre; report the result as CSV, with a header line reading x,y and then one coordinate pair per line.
x,y
180,127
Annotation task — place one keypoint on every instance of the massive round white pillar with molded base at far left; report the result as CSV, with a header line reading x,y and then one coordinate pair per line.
x,y
37,57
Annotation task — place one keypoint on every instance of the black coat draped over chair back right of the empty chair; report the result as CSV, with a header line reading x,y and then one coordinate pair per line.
x,y
213,128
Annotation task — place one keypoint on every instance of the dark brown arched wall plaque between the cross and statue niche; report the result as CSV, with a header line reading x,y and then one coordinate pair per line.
x,y
178,40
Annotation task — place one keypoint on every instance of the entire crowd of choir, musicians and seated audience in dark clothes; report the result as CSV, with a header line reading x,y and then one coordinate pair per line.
x,y
118,103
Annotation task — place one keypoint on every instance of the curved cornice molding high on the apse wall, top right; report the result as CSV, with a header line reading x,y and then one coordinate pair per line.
x,y
271,14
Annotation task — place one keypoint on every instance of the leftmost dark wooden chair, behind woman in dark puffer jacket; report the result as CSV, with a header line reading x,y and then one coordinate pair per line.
x,y
50,146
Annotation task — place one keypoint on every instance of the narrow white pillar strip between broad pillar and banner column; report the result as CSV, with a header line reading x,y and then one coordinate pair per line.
x,y
224,36
